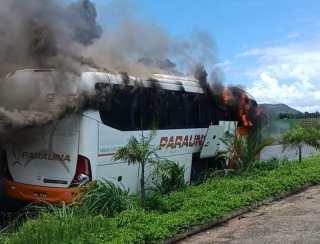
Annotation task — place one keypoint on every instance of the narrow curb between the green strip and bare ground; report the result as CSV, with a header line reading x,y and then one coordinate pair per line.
x,y
236,213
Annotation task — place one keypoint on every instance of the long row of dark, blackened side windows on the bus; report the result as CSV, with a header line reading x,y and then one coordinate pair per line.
x,y
141,108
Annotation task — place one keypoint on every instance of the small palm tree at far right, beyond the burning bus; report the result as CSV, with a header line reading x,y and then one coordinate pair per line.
x,y
297,137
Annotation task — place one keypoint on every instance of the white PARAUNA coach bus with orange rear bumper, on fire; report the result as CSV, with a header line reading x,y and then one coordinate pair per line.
x,y
50,162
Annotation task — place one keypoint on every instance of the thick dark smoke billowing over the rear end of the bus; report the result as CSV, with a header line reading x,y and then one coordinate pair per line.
x,y
43,34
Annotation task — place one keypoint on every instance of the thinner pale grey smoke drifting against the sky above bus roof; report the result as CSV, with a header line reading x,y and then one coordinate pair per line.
x,y
140,47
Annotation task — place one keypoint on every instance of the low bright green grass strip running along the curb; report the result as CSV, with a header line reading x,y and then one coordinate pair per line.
x,y
176,212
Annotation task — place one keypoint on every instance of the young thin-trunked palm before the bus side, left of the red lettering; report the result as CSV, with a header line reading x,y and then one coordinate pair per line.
x,y
139,151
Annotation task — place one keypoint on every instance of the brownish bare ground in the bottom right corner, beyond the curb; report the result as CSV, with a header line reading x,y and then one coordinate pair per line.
x,y
295,219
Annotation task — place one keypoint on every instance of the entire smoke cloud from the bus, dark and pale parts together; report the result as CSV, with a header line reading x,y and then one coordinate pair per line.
x,y
65,37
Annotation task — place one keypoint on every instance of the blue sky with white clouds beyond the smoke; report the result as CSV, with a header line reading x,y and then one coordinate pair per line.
x,y
270,47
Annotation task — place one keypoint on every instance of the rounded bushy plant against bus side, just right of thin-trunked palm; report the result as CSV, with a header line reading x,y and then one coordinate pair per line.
x,y
168,176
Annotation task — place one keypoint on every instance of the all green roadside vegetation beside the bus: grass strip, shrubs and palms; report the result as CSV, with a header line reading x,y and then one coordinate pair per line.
x,y
107,213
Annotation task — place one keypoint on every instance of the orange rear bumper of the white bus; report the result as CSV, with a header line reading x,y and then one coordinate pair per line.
x,y
31,193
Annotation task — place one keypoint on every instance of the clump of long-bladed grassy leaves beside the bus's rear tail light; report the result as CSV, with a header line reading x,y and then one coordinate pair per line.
x,y
104,197
